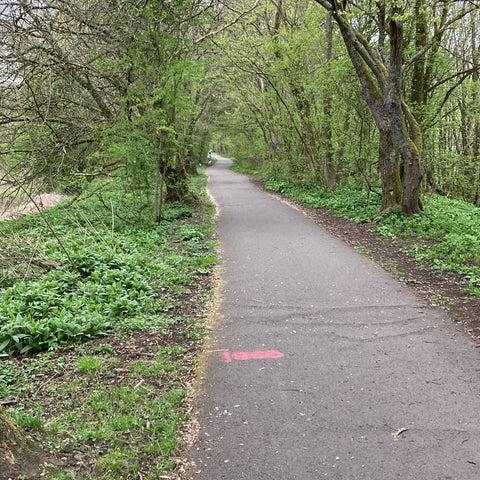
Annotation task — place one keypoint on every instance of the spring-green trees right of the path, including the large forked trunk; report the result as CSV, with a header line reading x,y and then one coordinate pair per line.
x,y
369,101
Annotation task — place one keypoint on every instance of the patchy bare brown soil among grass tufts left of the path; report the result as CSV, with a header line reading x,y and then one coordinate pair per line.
x,y
126,350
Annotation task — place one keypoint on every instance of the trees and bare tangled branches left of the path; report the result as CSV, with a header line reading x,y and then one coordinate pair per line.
x,y
87,87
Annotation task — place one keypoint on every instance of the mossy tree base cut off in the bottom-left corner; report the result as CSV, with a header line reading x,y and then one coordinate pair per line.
x,y
19,453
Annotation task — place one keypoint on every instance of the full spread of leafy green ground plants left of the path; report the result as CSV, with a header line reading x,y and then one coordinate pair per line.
x,y
113,276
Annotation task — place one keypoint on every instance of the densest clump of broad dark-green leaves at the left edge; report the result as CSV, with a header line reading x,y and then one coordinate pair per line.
x,y
68,306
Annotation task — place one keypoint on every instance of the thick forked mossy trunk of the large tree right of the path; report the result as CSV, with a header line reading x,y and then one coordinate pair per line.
x,y
382,89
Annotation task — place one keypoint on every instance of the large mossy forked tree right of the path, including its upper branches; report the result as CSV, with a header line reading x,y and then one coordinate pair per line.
x,y
379,64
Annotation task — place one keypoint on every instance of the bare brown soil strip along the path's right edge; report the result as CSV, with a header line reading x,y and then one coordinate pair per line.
x,y
438,288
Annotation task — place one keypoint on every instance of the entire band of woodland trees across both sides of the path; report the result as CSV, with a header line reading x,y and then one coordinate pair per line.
x,y
381,94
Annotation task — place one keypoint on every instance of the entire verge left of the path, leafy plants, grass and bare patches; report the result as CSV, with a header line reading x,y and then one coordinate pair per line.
x,y
111,401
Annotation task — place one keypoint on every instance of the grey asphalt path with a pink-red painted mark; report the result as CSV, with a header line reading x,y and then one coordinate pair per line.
x,y
320,364
